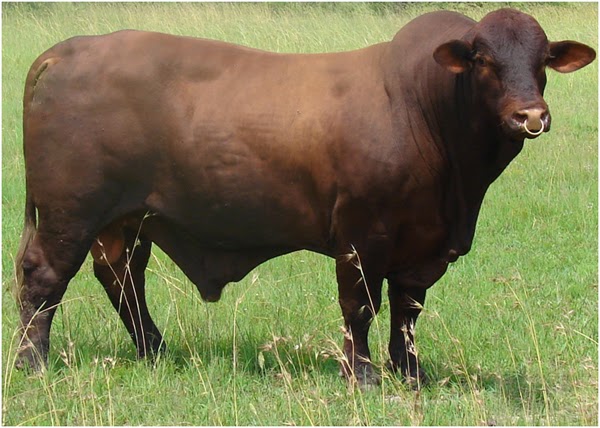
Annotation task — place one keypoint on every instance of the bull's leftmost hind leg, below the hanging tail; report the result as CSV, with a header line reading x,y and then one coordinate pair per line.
x,y
49,263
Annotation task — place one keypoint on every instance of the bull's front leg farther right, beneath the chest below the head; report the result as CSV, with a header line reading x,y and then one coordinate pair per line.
x,y
405,307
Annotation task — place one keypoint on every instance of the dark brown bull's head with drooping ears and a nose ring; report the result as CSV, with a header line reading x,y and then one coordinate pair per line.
x,y
507,53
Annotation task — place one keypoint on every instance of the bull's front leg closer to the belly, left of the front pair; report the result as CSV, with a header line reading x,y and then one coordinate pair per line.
x,y
360,298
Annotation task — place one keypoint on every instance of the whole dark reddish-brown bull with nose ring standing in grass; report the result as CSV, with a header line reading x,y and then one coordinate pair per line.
x,y
226,157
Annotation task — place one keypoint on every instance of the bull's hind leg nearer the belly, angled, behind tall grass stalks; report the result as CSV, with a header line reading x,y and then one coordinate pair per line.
x,y
124,282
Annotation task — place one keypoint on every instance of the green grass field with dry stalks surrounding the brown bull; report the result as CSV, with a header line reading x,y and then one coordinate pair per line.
x,y
508,336
